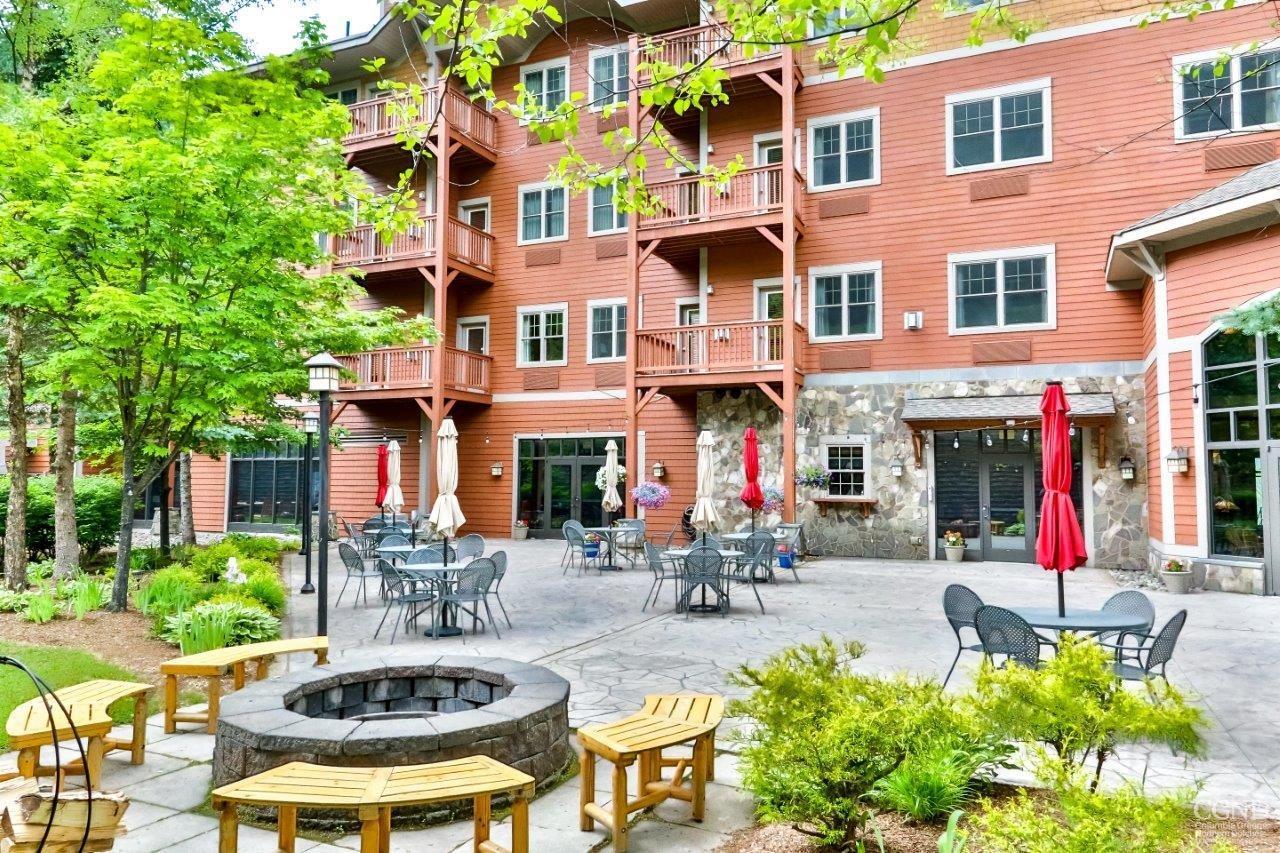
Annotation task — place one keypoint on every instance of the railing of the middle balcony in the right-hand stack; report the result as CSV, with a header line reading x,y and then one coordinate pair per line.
x,y
751,193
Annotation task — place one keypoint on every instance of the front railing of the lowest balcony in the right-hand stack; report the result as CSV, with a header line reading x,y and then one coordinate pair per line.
x,y
716,348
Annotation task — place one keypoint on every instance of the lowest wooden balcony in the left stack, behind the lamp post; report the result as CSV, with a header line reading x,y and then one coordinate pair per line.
x,y
409,372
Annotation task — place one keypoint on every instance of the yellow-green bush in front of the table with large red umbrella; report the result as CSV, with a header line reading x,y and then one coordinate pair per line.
x,y
1080,708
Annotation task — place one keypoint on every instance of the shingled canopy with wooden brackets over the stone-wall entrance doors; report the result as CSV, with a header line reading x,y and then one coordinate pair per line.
x,y
1013,410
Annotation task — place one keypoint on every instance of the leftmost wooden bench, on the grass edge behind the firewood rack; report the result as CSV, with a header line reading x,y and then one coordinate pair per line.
x,y
30,727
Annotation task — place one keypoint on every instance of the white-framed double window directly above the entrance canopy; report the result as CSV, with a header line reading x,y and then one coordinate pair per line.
x,y
1011,289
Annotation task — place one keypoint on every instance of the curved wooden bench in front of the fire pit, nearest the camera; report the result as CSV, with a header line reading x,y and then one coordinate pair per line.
x,y
373,792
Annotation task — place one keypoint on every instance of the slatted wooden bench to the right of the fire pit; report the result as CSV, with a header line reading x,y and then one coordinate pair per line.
x,y
665,722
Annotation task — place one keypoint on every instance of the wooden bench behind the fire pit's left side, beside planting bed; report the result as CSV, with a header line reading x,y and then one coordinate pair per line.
x,y
216,664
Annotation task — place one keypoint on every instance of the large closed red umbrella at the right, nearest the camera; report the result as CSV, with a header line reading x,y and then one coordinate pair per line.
x,y
1059,542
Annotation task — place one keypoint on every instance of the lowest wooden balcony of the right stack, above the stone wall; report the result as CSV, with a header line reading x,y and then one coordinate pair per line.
x,y
714,354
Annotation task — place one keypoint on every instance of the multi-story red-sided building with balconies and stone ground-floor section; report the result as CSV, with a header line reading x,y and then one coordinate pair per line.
x,y
883,293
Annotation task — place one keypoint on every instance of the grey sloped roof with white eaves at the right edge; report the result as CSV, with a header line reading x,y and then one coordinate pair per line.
x,y
1246,202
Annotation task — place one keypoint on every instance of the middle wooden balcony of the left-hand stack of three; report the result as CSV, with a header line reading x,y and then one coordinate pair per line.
x,y
470,249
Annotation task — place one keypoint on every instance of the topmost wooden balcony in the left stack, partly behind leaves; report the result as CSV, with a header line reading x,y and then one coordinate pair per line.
x,y
374,124
